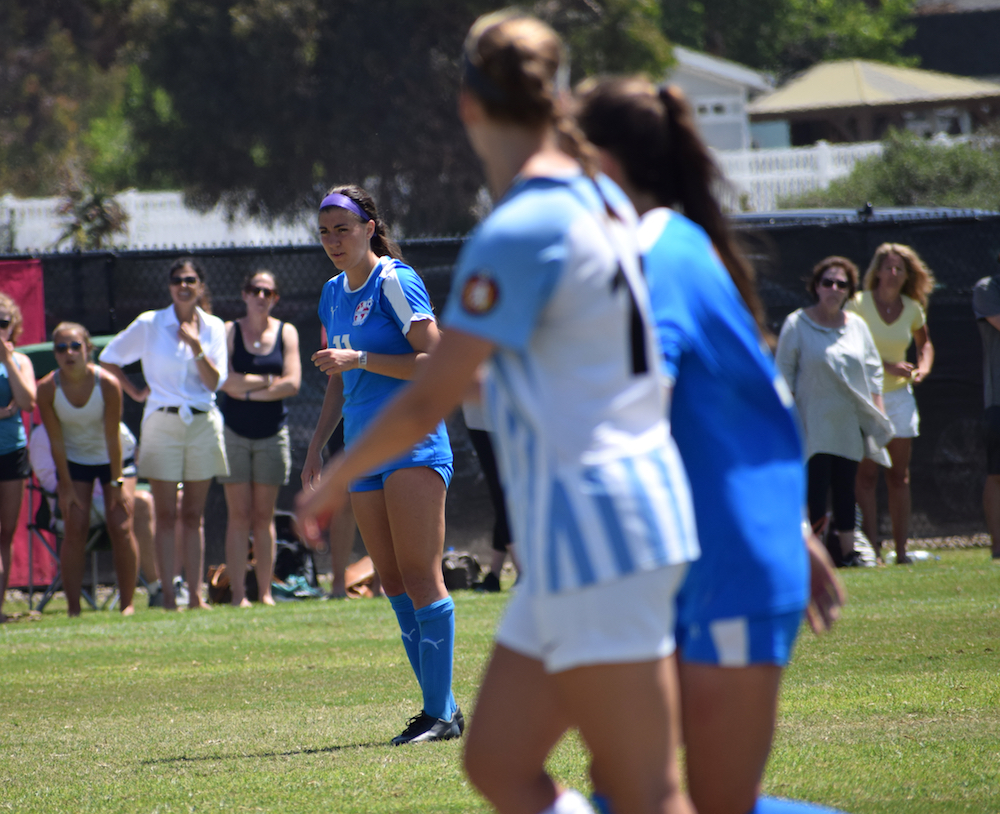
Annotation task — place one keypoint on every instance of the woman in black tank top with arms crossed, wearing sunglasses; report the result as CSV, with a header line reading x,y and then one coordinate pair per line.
x,y
264,369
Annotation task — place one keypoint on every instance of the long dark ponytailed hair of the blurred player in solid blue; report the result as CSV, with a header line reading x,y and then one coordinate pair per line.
x,y
652,133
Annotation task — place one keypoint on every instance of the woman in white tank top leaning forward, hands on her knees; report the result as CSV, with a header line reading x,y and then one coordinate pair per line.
x,y
81,407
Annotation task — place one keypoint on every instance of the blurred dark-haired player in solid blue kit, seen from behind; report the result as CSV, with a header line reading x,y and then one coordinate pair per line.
x,y
741,604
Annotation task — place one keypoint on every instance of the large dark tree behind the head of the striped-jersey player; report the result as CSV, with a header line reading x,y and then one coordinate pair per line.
x,y
262,104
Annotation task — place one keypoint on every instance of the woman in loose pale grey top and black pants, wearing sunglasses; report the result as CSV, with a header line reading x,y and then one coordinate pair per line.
x,y
830,362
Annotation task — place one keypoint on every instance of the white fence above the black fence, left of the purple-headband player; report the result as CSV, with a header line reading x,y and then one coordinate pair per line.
x,y
156,220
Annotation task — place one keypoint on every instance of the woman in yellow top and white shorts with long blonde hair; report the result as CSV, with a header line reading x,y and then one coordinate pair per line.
x,y
894,303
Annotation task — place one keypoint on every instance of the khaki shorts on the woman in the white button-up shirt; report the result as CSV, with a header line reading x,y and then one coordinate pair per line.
x,y
177,452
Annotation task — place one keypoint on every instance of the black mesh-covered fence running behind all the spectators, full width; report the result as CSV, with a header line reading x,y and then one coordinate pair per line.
x,y
106,291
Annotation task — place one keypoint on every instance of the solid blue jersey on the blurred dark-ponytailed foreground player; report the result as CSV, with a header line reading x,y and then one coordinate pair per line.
x,y
734,422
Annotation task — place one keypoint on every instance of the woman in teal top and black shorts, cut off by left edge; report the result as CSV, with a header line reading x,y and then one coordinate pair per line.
x,y
17,395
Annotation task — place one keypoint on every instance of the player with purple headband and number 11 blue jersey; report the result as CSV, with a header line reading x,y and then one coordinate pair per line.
x,y
380,327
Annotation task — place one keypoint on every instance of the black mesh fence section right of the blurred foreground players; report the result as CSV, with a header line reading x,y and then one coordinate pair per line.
x,y
949,462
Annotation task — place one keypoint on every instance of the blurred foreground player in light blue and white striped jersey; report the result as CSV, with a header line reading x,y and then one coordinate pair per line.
x,y
549,292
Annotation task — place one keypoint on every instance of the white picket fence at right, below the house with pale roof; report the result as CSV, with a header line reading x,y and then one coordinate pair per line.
x,y
761,177
